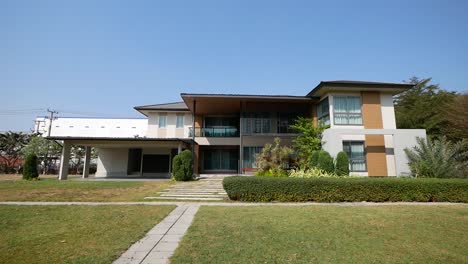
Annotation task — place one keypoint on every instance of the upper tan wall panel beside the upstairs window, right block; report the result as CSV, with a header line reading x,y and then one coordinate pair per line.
x,y
371,110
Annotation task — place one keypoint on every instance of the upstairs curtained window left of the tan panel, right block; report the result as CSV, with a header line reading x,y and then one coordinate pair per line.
x,y
347,110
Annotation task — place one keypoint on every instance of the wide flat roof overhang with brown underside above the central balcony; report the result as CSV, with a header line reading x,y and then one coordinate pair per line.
x,y
229,103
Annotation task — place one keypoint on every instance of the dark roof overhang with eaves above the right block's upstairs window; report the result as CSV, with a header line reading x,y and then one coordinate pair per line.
x,y
356,86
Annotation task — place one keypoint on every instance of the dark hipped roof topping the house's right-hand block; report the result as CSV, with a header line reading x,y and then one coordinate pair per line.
x,y
395,88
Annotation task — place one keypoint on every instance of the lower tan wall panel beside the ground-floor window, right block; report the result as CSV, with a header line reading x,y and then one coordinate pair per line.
x,y
375,155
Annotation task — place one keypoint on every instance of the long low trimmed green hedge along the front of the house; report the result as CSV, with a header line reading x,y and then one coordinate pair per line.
x,y
263,189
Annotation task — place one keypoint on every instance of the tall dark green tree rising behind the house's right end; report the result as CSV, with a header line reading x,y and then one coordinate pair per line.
x,y
423,106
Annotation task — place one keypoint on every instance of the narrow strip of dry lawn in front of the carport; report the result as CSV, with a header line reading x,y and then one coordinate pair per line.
x,y
80,191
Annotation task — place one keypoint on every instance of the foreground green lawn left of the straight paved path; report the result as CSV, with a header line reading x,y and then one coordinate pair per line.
x,y
73,234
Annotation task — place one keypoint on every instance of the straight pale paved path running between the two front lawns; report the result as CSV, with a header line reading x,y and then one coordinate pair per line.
x,y
160,242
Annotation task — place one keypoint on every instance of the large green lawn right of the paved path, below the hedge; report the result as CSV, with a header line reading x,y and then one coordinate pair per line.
x,y
327,234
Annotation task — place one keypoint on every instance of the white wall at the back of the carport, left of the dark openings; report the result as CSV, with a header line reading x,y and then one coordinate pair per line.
x,y
112,162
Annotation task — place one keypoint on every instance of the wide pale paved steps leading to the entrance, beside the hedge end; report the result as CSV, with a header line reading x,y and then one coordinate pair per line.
x,y
208,189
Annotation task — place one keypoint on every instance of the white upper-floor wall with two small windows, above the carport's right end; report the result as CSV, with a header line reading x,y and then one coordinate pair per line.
x,y
170,131
